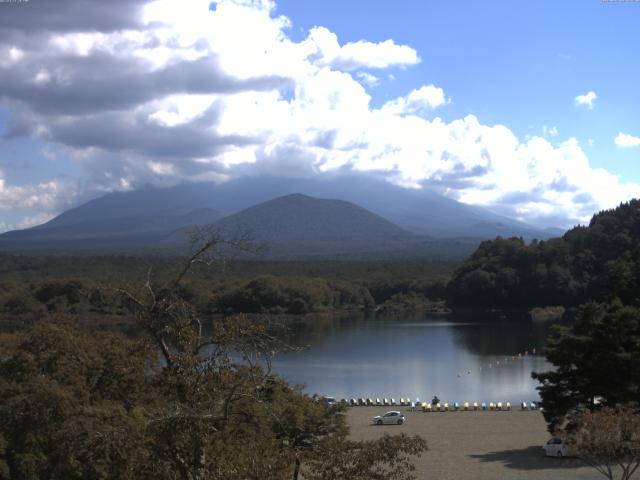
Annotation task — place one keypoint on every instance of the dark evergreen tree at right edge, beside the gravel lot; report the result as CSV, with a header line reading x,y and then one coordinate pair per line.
x,y
596,362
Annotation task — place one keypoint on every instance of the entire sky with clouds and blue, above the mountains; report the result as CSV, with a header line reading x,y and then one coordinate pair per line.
x,y
530,109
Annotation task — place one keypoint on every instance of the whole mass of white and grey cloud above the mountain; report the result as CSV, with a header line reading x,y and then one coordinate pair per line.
x,y
166,91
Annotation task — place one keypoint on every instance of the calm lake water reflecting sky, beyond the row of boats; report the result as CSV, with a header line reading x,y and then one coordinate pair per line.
x,y
458,357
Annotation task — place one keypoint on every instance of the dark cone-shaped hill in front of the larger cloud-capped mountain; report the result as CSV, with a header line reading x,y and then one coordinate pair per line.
x,y
299,226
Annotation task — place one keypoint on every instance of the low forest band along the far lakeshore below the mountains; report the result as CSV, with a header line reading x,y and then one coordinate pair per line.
x,y
41,287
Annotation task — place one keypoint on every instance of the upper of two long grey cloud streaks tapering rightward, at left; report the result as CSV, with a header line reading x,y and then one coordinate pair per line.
x,y
100,82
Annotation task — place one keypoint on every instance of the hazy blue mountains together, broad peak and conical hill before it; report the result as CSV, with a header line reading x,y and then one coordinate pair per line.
x,y
350,217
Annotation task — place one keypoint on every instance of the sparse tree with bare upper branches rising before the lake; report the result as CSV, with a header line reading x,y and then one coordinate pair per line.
x,y
207,371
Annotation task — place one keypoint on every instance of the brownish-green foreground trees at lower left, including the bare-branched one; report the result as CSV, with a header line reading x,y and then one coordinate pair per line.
x,y
188,398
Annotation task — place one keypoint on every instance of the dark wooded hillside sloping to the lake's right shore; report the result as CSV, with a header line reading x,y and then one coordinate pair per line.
x,y
599,262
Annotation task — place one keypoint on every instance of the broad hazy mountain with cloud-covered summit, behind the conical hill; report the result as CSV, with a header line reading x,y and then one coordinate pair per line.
x,y
418,210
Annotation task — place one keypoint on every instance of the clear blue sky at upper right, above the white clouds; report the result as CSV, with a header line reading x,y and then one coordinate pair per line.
x,y
517,63
